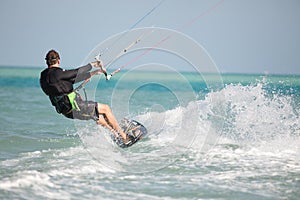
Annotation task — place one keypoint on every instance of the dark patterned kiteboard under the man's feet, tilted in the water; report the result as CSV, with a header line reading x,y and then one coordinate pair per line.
x,y
134,130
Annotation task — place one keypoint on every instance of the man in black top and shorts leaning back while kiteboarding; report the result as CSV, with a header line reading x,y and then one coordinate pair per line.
x,y
58,85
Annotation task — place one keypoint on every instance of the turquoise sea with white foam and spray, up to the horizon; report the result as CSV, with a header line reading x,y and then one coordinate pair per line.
x,y
238,141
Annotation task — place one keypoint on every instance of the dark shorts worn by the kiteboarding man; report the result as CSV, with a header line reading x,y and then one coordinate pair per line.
x,y
87,110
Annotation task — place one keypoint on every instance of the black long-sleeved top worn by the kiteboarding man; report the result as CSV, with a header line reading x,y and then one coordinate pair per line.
x,y
56,82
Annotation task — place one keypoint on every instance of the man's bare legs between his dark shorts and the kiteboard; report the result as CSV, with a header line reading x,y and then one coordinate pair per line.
x,y
108,120
